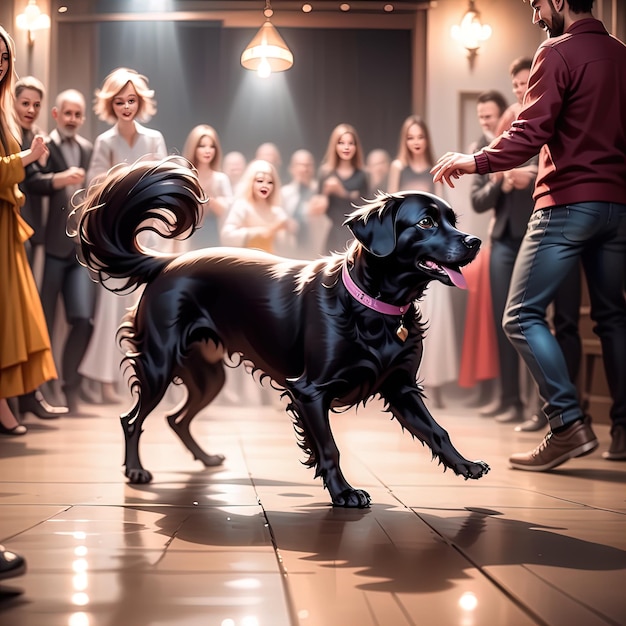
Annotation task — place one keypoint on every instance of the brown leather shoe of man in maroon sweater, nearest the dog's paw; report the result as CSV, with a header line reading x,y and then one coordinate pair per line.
x,y
576,440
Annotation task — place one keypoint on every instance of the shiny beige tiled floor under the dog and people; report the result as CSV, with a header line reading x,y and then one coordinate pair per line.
x,y
255,542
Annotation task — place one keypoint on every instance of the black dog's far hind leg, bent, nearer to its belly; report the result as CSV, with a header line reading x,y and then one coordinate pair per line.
x,y
203,381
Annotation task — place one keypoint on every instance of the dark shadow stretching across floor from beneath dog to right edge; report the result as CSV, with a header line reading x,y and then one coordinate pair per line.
x,y
394,549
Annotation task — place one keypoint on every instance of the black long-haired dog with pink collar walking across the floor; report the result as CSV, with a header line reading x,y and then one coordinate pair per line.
x,y
329,333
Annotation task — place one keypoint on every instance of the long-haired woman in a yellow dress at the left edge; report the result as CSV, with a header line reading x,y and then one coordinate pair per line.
x,y
25,357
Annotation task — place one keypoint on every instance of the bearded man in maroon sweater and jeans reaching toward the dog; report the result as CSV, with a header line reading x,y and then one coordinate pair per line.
x,y
574,115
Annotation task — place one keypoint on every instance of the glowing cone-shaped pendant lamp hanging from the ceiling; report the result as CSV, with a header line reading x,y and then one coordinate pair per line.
x,y
267,52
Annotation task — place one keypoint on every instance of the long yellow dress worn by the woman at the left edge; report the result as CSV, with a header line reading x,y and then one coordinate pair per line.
x,y
25,357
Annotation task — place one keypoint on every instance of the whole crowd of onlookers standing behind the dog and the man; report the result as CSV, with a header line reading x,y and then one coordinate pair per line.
x,y
249,206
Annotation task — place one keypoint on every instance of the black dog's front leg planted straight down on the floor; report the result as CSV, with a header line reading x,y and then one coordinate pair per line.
x,y
315,437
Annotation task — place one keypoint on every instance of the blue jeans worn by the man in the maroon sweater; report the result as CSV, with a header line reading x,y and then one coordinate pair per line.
x,y
556,240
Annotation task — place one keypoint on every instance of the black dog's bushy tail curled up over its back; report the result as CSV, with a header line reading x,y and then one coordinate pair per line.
x,y
163,197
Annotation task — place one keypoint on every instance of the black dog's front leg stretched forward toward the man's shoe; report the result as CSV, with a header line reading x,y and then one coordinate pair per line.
x,y
407,406
